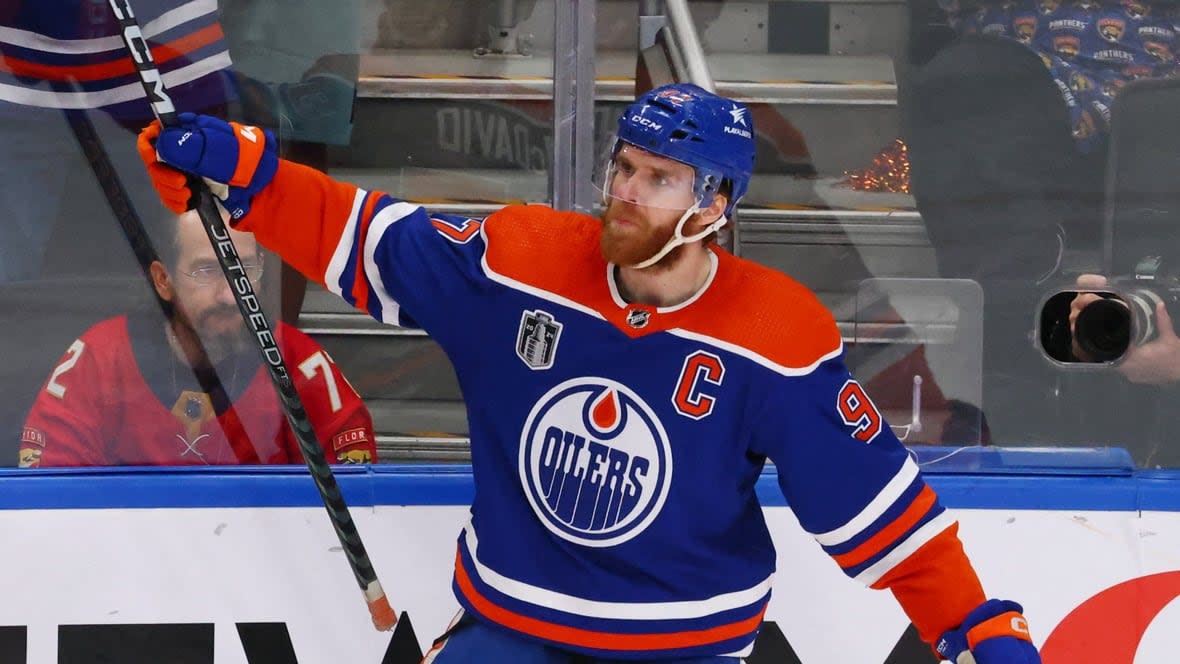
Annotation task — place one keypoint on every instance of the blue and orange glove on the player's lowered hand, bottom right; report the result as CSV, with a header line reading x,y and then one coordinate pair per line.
x,y
995,633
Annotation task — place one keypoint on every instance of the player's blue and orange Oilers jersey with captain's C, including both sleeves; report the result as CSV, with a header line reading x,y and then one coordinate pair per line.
x,y
617,446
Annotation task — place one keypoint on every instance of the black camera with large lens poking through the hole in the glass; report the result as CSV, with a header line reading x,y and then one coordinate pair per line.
x,y
1106,328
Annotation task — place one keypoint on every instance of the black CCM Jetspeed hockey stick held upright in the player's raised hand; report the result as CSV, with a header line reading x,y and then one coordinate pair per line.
x,y
384,617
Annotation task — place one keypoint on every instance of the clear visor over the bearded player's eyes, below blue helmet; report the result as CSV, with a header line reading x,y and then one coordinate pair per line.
x,y
643,179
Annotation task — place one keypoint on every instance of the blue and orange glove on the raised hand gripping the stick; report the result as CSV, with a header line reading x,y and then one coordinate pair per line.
x,y
237,161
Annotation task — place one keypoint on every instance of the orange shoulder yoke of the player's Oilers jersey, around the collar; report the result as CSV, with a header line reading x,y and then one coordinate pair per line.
x,y
746,307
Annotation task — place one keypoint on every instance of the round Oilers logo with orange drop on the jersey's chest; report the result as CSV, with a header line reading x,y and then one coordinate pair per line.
x,y
595,463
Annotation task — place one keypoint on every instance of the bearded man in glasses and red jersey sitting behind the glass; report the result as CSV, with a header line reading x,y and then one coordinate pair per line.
x,y
136,390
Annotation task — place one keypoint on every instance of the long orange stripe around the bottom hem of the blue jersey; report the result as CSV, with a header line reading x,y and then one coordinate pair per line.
x,y
600,641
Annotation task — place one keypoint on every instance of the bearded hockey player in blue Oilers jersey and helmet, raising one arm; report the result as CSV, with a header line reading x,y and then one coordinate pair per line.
x,y
626,383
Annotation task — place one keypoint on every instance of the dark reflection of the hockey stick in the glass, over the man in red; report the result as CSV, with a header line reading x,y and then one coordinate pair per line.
x,y
146,255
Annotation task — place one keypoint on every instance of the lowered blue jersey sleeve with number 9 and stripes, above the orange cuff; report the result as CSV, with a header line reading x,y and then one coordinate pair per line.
x,y
844,474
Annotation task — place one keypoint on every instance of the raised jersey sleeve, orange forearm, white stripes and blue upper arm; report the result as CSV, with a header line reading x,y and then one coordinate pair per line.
x,y
395,260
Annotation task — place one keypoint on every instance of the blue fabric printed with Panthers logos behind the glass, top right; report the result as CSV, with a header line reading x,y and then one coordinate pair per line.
x,y
1092,49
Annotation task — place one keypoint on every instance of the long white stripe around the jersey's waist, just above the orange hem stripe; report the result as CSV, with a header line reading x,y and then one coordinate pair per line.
x,y
611,610
